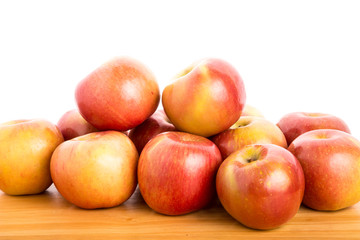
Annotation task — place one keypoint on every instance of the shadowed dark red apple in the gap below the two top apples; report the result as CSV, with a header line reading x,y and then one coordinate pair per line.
x,y
151,127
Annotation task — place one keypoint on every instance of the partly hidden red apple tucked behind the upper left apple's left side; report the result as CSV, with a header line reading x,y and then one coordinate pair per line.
x,y
72,125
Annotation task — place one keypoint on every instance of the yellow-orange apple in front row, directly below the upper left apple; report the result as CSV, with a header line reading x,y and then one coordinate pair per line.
x,y
96,170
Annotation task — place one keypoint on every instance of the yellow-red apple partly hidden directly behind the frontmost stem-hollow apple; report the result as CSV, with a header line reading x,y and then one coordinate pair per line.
x,y
248,130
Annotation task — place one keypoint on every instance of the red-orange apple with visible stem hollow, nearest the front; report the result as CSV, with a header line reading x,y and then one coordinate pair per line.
x,y
261,186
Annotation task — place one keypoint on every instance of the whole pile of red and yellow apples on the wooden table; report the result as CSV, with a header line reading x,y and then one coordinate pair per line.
x,y
205,143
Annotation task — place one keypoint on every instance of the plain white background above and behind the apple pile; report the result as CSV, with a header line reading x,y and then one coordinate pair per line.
x,y
292,55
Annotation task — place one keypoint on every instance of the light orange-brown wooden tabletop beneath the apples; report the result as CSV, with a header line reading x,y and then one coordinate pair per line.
x,y
49,216
